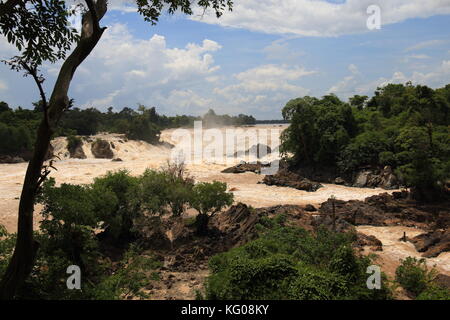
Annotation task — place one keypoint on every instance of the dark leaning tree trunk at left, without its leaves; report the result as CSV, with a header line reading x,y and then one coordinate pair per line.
x,y
22,261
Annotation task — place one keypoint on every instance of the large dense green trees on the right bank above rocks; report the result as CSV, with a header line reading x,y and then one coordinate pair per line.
x,y
404,126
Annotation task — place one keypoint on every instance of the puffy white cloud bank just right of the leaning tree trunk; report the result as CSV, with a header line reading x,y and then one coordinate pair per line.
x,y
146,71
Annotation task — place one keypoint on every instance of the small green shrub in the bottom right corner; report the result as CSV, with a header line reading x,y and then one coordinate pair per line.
x,y
415,277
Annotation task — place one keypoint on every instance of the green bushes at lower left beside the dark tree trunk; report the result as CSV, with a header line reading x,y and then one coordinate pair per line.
x,y
81,223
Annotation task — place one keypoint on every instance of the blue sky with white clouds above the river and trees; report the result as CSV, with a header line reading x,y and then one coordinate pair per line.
x,y
252,60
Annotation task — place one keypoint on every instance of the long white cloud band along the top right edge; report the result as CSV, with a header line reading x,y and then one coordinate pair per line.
x,y
319,17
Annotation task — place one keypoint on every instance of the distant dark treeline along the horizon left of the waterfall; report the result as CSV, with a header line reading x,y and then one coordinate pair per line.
x,y
18,126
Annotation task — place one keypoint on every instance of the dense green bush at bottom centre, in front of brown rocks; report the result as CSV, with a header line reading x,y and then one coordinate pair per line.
x,y
291,263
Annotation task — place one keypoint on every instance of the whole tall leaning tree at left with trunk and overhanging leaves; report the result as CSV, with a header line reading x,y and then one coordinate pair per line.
x,y
46,38
